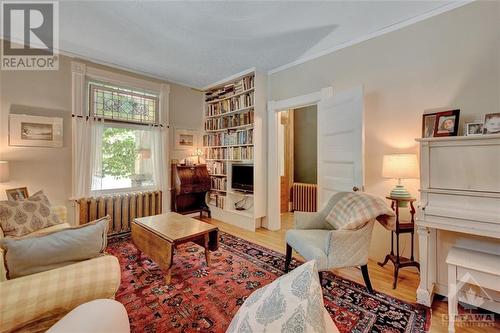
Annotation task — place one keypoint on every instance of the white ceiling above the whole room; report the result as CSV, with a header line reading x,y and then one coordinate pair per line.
x,y
198,43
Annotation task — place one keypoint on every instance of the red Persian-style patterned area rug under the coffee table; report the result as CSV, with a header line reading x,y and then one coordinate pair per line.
x,y
205,299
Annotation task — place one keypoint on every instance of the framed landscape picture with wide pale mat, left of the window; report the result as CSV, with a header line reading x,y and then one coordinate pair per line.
x,y
35,131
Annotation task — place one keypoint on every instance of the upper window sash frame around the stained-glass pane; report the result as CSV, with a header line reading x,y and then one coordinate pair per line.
x,y
96,86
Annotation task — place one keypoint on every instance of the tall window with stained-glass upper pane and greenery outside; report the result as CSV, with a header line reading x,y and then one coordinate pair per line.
x,y
124,149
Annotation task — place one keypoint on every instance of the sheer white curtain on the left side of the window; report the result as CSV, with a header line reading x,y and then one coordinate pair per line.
x,y
87,144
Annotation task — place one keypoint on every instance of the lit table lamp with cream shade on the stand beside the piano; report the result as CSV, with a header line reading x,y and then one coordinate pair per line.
x,y
400,166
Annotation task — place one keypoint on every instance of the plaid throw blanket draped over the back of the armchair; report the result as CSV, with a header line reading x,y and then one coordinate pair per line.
x,y
350,211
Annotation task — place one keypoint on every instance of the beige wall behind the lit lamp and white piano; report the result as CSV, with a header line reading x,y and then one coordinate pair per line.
x,y
452,59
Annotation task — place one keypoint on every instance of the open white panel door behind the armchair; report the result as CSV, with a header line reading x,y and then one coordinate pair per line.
x,y
340,144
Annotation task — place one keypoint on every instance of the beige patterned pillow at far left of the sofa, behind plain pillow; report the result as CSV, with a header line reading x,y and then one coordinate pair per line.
x,y
19,218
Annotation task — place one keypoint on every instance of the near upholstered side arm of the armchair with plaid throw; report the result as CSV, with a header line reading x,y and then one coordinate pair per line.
x,y
350,247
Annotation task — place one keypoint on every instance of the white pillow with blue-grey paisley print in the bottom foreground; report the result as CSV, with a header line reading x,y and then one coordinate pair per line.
x,y
292,303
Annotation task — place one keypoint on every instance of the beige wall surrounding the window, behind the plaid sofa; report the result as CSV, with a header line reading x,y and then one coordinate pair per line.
x,y
49,93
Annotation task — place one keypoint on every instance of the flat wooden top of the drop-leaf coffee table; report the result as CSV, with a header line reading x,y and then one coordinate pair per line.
x,y
174,227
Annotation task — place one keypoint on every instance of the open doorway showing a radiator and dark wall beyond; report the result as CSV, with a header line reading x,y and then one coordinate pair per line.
x,y
297,144
